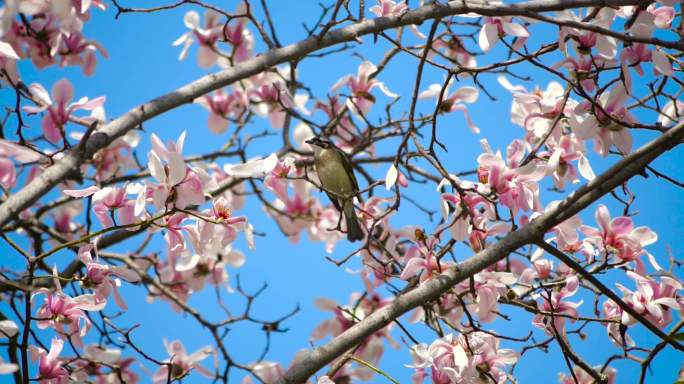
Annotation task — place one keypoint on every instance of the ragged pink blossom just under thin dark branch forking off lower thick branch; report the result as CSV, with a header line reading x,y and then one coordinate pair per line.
x,y
555,302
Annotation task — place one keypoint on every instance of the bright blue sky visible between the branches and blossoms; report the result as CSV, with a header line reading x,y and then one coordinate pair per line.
x,y
143,65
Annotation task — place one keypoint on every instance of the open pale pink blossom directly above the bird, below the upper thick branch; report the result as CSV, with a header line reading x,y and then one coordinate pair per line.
x,y
361,85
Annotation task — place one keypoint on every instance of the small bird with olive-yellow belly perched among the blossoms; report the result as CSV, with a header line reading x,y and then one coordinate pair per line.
x,y
336,173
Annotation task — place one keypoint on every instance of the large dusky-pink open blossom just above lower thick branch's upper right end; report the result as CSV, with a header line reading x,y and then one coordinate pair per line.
x,y
603,123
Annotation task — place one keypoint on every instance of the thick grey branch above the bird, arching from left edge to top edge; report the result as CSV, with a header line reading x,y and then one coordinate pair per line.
x,y
71,162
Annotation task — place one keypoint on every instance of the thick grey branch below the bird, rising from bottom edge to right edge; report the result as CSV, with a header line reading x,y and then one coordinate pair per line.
x,y
619,173
